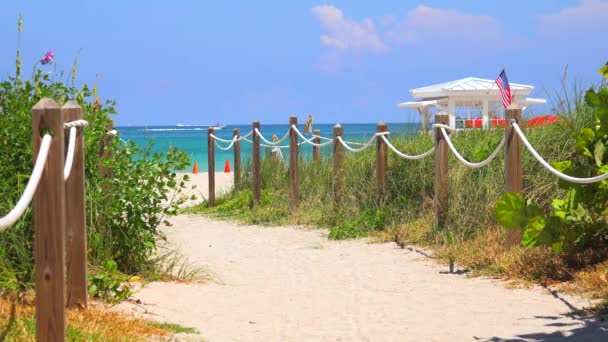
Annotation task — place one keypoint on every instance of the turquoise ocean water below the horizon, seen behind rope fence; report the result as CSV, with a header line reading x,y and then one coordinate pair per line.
x,y
193,139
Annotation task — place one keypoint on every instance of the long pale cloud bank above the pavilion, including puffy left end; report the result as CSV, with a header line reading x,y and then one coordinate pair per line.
x,y
423,25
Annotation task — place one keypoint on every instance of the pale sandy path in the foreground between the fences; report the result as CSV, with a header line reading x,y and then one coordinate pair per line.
x,y
289,284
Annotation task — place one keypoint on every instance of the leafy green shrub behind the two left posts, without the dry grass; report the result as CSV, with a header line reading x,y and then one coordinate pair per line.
x,y
122,220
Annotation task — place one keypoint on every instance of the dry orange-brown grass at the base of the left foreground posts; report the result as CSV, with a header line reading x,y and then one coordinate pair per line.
x,y
17,323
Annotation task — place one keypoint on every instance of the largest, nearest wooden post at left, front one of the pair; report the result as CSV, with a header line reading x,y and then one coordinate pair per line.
x,y
49,222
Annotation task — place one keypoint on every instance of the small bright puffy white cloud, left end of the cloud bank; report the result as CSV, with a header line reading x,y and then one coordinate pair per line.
x,y
343,33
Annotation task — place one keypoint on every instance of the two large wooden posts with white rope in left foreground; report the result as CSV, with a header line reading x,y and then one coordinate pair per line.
x,y
56,187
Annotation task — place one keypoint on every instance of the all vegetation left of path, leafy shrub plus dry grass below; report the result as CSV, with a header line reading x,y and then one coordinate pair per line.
x,y
123,212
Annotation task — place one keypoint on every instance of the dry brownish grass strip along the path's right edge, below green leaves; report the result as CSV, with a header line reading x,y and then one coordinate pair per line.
x,y
484,254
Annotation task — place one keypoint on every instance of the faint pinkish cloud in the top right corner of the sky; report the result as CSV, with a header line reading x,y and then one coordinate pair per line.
x,y
590,16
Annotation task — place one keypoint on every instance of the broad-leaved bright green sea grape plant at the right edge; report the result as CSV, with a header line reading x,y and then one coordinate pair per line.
x,y
578,220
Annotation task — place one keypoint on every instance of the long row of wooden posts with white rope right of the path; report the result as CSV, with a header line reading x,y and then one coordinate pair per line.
x,y
511,144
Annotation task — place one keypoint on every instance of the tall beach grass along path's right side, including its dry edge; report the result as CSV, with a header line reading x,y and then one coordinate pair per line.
x,y
472,239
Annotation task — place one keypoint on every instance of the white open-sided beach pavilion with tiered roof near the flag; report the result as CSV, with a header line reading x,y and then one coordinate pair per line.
x,y
470,92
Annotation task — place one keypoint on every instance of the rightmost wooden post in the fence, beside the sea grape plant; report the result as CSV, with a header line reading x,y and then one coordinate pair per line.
x,y
513,171
